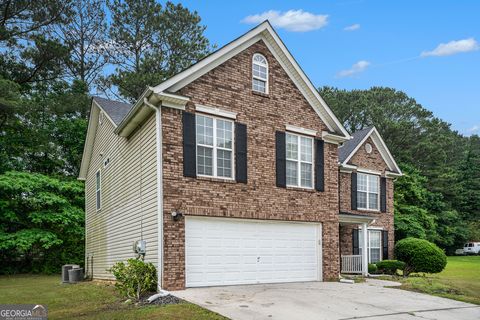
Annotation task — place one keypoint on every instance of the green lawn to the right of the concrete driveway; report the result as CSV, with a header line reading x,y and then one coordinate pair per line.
x,y
460,280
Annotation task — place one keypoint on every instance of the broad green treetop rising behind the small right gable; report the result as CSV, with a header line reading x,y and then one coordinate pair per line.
x,y
412,133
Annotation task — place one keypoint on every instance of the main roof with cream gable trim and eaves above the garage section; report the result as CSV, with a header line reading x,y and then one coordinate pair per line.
x,y
127,117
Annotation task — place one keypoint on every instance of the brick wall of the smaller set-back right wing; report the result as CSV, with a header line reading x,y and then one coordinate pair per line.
x,y
372,161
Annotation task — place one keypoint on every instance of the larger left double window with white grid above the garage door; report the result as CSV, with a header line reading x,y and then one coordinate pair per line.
x,y
214,147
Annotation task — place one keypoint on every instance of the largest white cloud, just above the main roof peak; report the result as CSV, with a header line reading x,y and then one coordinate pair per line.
x,y
291,20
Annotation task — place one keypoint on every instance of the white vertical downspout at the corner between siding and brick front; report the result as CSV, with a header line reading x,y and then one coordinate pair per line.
x,y
158,124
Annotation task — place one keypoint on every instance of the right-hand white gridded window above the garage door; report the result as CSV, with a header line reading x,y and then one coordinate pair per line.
x,y
299,162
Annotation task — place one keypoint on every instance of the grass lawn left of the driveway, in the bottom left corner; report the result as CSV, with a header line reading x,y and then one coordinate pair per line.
x,y
88,300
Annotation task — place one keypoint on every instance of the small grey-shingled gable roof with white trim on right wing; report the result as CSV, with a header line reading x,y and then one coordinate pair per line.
x,y
349,148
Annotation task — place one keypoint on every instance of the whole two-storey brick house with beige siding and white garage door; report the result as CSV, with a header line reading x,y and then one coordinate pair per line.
x,y
232,173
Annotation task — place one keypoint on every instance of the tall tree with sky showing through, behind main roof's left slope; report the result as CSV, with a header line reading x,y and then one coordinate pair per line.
x,y
152,43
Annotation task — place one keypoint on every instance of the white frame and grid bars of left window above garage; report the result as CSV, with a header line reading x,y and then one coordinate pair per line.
x,y
214,147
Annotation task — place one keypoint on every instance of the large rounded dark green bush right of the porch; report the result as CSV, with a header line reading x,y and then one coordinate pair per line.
x,y
420,256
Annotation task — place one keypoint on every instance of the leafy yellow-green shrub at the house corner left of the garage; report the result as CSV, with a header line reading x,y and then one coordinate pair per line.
x,y
135,278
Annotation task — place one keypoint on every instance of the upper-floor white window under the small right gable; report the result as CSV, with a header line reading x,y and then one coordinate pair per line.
x,y
367,192
